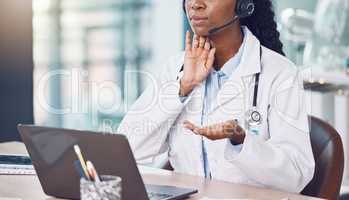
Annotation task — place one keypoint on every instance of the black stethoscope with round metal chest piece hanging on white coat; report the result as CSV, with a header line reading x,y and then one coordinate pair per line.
x,y
253,117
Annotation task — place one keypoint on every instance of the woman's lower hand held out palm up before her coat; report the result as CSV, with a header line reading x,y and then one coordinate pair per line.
x,y
229,129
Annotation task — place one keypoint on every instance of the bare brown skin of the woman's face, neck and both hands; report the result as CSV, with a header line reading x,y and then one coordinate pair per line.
x,y
204,51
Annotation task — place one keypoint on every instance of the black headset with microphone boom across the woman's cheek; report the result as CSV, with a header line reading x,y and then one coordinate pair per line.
x,y
244,9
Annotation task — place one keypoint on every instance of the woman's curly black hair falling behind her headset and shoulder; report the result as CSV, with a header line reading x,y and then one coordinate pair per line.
x,y
263,25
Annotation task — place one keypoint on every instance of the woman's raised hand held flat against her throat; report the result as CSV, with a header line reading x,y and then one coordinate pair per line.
x,y
198,62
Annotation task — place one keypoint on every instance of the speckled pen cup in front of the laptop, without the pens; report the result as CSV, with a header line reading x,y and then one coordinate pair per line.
x,y
109,188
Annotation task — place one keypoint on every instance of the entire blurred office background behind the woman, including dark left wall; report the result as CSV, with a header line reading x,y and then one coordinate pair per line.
x,y
76,63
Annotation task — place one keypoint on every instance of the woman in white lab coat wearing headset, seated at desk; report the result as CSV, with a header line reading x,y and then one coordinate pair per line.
x,y
231,107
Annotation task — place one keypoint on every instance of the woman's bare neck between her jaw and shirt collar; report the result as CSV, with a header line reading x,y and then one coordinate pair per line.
x,y
227,44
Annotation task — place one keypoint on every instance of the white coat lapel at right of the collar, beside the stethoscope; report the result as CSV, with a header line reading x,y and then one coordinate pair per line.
x,y
250,65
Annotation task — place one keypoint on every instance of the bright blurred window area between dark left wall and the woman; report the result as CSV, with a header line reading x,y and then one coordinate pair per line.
x,y
102,52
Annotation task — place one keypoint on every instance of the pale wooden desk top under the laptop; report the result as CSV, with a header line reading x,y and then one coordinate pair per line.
x,y
28,187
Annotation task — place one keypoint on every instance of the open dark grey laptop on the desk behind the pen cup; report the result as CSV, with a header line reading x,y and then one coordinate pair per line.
x,y
52,154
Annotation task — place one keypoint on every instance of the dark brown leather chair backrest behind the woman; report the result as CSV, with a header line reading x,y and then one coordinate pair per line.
x,y
329,160
